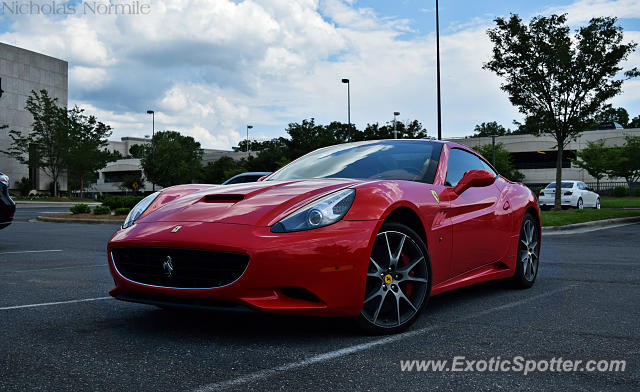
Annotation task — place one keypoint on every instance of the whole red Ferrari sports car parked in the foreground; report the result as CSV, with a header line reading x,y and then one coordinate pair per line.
x,y
368,229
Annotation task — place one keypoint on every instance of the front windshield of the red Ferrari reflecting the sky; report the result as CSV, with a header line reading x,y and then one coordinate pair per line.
x,y
411,160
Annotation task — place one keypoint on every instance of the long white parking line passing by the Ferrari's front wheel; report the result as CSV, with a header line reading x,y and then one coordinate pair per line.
x,y
222,385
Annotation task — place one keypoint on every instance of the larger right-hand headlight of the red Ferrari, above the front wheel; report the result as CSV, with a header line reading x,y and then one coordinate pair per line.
x,y
323,212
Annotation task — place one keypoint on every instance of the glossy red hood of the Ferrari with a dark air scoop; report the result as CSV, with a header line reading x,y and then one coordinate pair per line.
x,y
258,203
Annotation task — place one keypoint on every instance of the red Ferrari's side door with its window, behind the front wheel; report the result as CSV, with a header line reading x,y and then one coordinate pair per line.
x,y
476,238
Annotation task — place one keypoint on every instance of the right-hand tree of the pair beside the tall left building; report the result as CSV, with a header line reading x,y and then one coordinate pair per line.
x,y
87,151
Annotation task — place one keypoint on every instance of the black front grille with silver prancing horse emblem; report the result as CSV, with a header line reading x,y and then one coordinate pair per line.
x,y
181,268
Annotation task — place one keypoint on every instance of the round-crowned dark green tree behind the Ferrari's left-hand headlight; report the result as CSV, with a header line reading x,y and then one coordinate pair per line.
x,y
172,159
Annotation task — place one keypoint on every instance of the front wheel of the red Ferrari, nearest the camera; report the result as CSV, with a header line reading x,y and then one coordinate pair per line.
x,y
396,291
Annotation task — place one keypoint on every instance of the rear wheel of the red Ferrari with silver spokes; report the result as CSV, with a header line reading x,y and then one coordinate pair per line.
x,y
526,274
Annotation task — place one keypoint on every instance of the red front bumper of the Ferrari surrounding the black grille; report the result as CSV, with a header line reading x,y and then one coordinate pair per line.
x,y
329,263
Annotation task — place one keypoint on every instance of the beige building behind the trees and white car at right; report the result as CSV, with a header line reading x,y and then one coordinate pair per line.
x,y
535,156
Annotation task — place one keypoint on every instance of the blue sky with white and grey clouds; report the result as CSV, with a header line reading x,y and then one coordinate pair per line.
x,y
210,67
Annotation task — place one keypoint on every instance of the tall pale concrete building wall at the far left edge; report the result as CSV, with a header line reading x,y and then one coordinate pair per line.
x,y
21,72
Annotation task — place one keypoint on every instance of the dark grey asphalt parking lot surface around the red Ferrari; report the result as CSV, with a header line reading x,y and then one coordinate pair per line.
x,y
59,331
